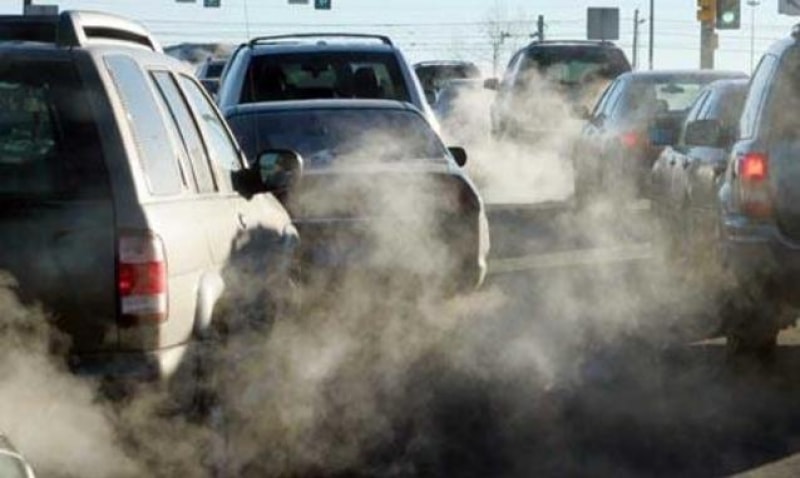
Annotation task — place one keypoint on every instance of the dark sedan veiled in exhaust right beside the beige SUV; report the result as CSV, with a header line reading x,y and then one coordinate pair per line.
x,y
378,182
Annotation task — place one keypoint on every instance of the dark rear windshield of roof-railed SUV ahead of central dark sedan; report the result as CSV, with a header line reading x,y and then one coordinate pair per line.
x,y
299,76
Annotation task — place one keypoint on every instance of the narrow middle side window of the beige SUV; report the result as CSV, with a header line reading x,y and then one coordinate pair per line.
x,y
189,134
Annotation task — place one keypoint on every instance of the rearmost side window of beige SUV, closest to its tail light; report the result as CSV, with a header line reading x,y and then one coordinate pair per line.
x,y
147,124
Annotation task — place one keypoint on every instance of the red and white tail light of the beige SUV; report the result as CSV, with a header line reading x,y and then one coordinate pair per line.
x,y
141,280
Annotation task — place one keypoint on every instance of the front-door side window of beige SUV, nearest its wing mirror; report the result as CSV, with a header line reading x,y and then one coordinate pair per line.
x,y
221,146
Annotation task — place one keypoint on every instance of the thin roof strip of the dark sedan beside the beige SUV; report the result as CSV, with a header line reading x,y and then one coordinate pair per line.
x,y
320,104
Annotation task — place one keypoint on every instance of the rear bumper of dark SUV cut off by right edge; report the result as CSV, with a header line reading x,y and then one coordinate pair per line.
x,y
759,255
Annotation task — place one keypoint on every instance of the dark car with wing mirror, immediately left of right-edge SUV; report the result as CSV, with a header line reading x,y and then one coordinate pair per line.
x,y
687,175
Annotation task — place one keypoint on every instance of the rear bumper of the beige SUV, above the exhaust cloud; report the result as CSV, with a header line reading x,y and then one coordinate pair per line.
x,y
123,366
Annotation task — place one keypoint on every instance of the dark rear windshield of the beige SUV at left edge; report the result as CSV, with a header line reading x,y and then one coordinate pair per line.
x,y
49,145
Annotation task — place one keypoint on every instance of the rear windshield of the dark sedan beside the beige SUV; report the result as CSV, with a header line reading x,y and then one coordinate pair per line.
x,y
325,136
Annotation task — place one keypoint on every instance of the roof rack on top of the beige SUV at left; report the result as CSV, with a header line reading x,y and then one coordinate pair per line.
x,y
75,29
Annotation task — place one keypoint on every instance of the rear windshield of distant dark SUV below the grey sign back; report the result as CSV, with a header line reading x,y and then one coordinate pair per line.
x,y
574,64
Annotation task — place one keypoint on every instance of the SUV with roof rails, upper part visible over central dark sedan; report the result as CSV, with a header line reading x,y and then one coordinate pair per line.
x,y
320,66
